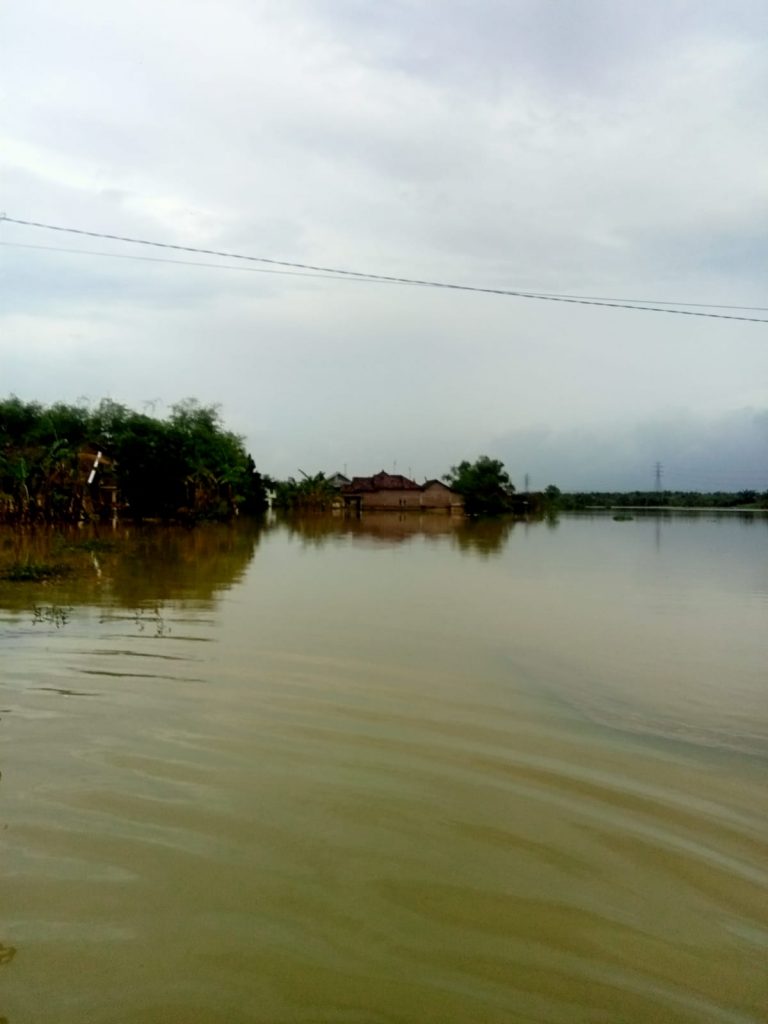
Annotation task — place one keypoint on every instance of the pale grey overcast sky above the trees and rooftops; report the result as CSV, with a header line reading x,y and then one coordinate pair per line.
x,y
590,148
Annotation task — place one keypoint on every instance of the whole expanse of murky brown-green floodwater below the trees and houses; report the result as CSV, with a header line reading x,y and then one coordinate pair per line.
x,y
391,771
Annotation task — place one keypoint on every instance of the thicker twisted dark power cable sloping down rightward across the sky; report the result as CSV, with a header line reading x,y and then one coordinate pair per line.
x,y
360,275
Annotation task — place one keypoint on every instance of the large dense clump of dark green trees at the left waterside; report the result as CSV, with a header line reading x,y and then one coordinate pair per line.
x,y
185,467
